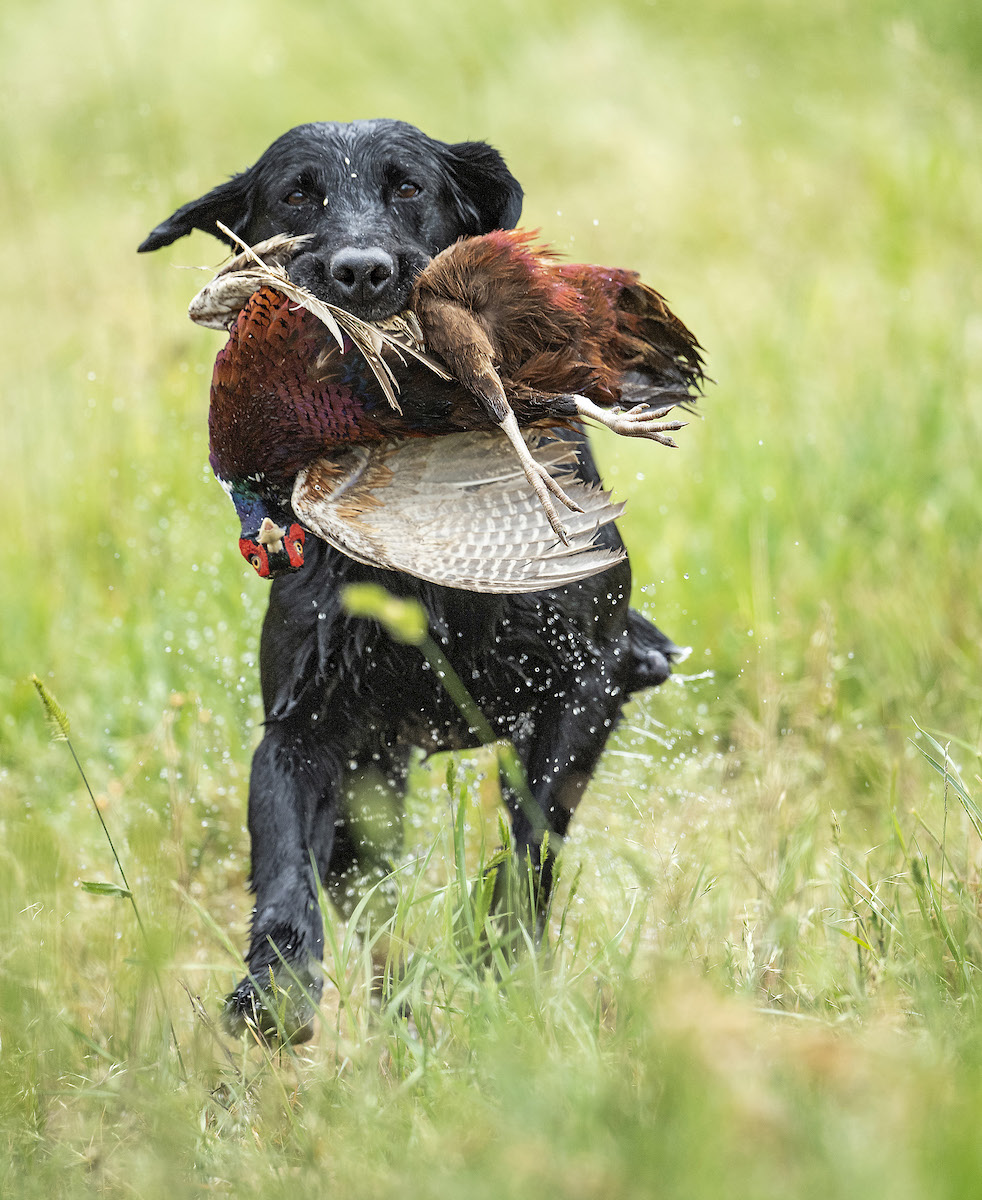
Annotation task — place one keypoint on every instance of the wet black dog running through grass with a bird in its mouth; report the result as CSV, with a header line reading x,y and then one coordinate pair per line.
x,y
344,704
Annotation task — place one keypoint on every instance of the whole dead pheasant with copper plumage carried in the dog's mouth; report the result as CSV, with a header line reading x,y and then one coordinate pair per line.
x,y
530,341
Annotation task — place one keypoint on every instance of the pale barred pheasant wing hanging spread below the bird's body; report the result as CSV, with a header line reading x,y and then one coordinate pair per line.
x,y
457,511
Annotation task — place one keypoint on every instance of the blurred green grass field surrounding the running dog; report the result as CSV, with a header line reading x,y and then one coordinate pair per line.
x,y
763,968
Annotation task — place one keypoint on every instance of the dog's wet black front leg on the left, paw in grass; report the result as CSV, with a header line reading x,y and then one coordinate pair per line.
x,y
292,779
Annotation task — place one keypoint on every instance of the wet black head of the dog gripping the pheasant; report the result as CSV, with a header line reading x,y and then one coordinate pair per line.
x,y
379,200
